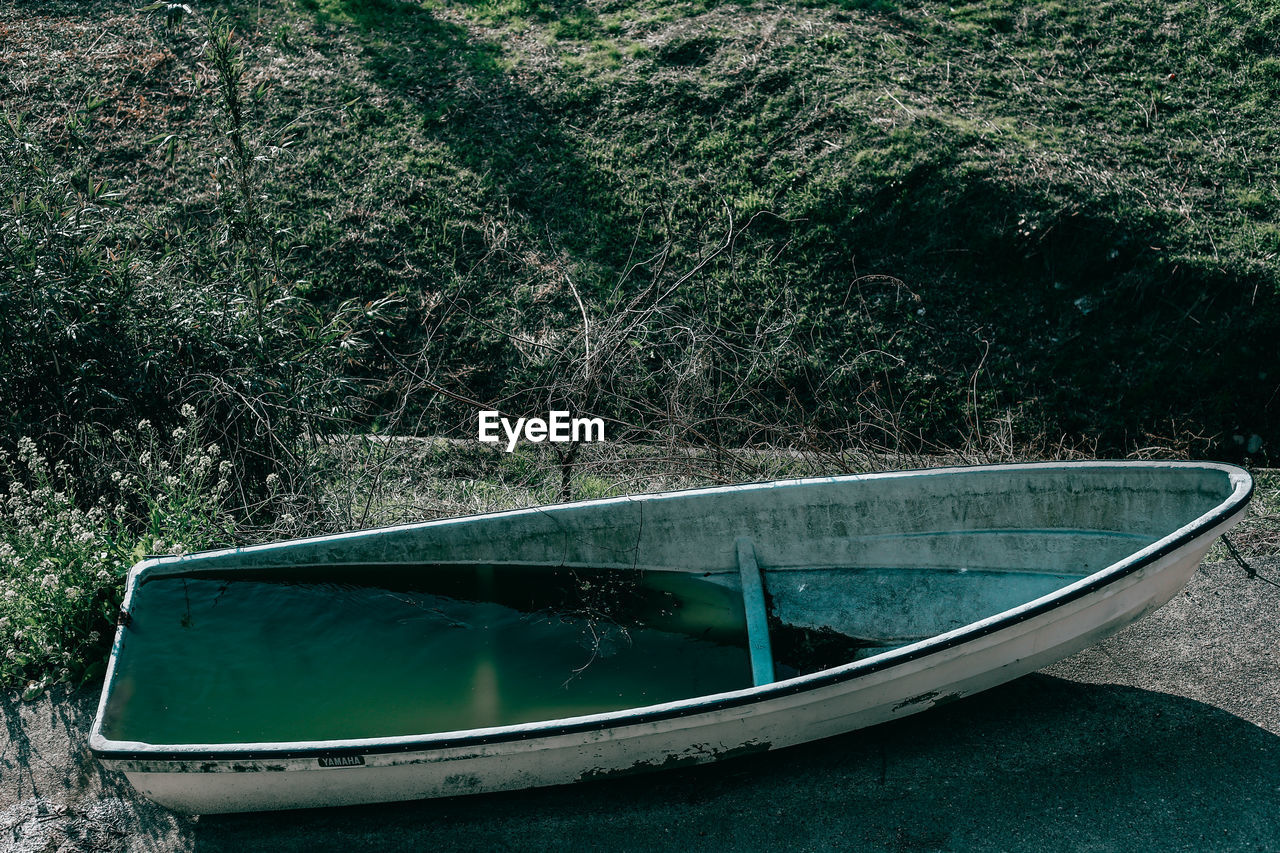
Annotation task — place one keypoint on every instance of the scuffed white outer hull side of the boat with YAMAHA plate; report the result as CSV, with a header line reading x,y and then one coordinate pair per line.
x,y
874,691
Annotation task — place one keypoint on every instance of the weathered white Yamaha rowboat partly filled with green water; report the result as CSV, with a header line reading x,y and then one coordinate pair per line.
x,y
602,638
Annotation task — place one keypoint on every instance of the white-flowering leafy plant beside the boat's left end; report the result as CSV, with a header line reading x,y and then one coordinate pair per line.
x,y
63,564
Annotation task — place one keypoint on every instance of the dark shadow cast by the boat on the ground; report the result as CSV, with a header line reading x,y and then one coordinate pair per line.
x,y
1039,764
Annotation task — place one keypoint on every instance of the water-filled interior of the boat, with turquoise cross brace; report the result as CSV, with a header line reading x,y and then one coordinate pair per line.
x,y
607,605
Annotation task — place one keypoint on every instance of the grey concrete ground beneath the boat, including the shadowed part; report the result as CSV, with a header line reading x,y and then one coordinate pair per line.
x,y
1167,737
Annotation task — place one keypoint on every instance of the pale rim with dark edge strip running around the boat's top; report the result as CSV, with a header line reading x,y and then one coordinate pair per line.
x,y
1220,517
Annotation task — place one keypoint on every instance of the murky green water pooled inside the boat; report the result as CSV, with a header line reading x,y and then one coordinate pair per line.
x,y
364,653
